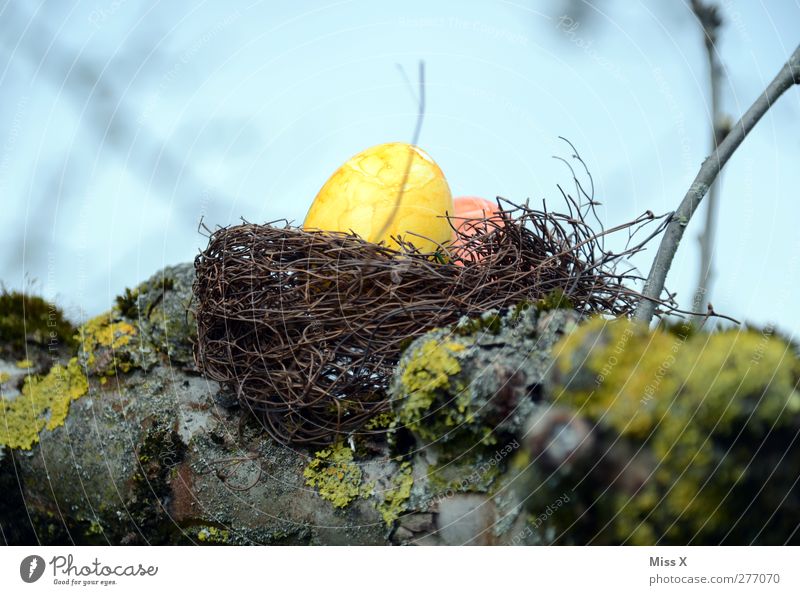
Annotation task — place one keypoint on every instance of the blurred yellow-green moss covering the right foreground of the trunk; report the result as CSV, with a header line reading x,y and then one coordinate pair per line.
x,y
695,400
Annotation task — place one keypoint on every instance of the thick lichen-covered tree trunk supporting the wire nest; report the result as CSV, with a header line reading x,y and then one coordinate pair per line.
x,y
520,426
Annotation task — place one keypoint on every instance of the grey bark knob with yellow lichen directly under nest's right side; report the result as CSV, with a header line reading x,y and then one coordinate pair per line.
x,y
473,380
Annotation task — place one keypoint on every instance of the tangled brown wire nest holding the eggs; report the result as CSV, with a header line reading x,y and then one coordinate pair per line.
x,y
307,327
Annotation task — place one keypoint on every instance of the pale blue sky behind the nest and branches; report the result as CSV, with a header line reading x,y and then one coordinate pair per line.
x,y
124,123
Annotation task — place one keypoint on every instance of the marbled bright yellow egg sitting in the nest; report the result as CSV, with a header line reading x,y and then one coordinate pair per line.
x,y
362,195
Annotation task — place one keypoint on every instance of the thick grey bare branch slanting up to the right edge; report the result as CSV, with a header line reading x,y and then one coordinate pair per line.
x,y
788,76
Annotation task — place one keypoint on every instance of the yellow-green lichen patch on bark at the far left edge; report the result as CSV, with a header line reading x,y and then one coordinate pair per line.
x,y
43,404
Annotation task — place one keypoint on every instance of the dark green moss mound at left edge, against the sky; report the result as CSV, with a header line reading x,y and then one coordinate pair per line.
x,y
29,318
